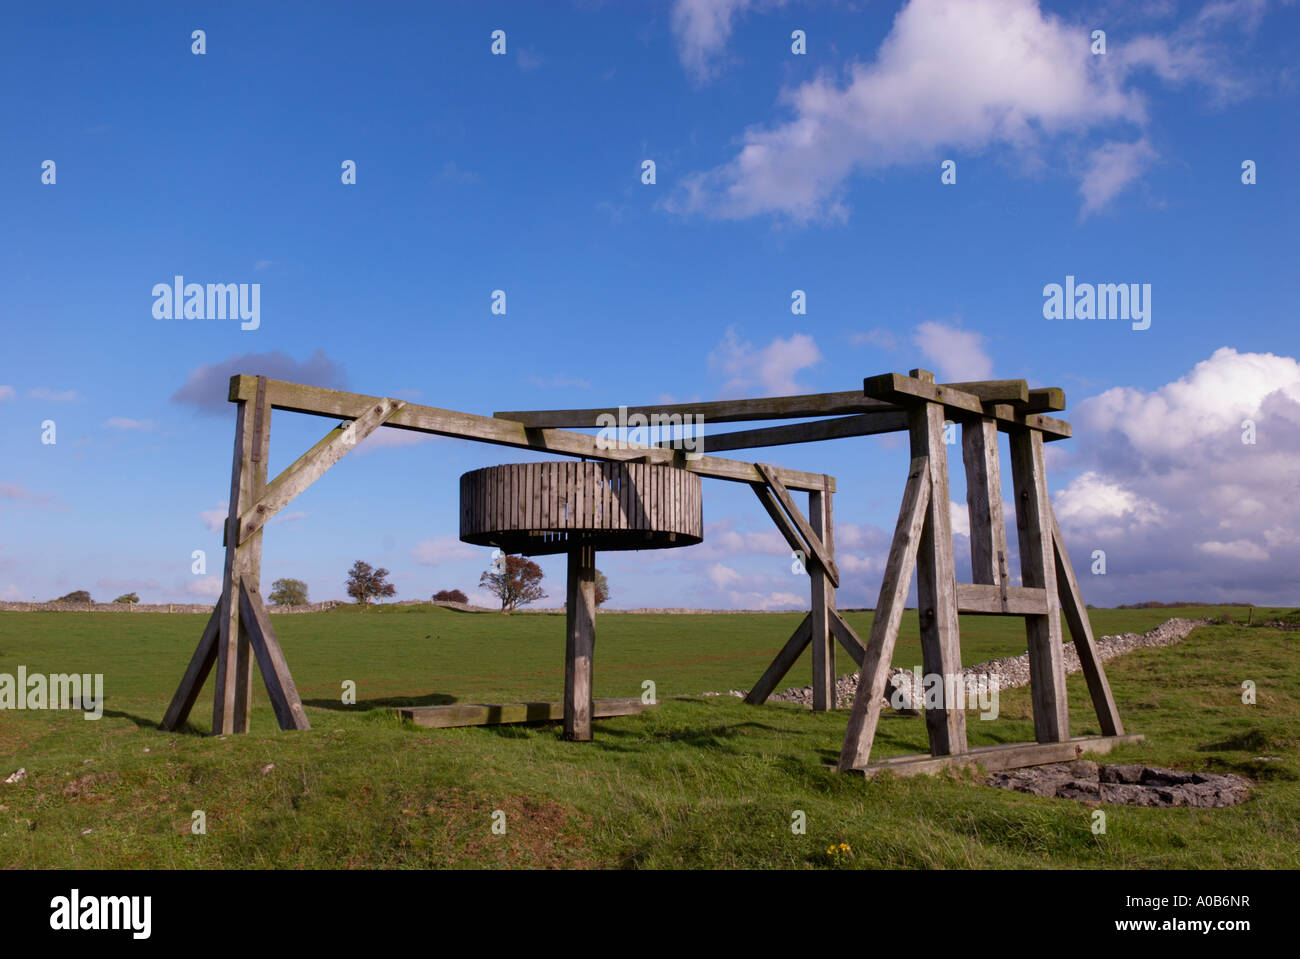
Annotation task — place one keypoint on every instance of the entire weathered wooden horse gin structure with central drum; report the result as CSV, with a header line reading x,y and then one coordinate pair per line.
x,y
649,497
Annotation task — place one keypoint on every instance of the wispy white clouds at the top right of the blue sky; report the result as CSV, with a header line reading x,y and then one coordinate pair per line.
x,y
952,76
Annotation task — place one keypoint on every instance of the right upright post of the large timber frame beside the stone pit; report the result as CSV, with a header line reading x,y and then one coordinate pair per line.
x,y
1038,570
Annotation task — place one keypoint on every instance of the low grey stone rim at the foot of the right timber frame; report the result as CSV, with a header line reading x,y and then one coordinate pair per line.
x,y
1126,786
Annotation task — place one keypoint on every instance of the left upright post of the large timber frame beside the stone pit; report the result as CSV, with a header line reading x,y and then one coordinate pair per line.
x,y
937,583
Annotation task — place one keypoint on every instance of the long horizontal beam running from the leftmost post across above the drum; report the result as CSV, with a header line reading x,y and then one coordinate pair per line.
x,y
486,429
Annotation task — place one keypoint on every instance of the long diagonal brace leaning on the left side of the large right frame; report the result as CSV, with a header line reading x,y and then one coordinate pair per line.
x,y
885,627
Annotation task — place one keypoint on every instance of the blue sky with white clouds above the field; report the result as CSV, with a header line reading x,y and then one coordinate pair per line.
x,y
775,172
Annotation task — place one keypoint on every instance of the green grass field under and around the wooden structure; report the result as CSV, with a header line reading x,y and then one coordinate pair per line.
x,y
697,782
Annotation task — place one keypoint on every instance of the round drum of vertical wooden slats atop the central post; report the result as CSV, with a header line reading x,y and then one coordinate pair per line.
x,y
536,509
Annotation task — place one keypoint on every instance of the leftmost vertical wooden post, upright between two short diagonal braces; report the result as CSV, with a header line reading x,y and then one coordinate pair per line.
x,y
233,692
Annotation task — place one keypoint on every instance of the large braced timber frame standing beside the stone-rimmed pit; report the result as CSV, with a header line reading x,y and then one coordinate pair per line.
x,y
924,541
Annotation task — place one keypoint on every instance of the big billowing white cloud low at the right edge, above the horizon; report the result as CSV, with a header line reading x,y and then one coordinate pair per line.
x,y
1184,506
